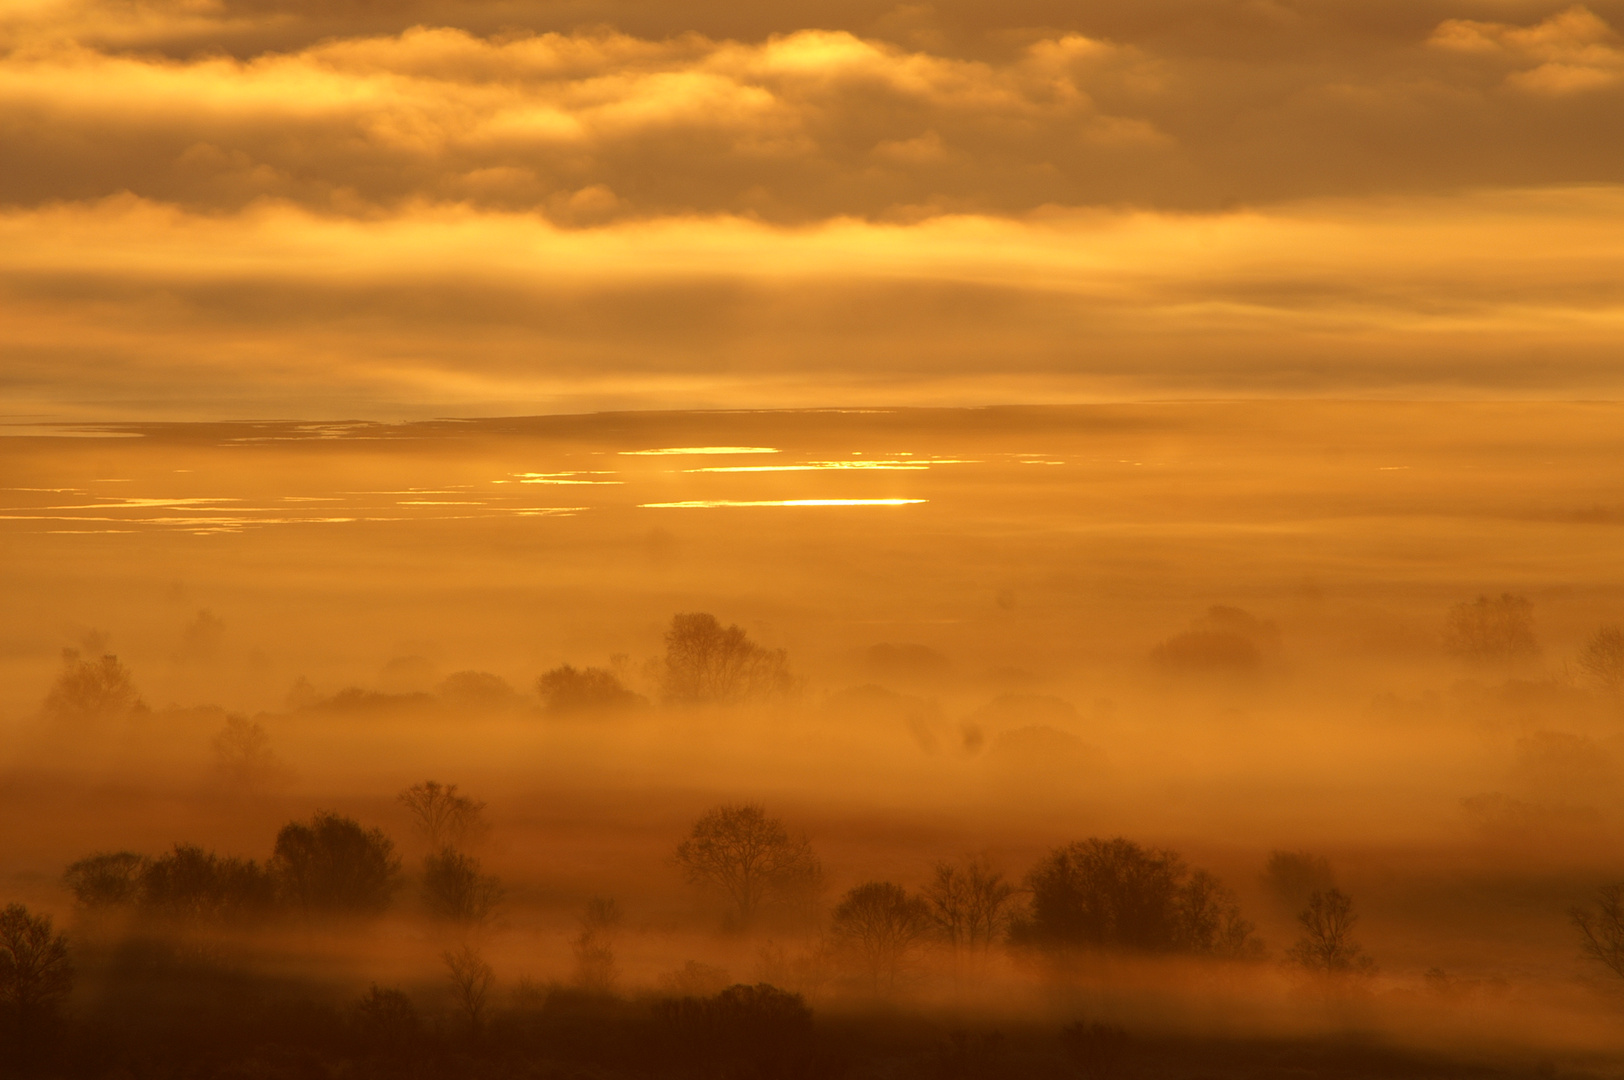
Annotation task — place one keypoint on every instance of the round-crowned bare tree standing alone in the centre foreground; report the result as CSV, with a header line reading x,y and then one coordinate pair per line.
x,y
749,858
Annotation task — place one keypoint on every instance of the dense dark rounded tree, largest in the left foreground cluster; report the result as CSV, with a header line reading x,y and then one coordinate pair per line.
x,y
335,866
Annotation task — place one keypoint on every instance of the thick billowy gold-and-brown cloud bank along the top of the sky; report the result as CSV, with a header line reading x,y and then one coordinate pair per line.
x,y
803,126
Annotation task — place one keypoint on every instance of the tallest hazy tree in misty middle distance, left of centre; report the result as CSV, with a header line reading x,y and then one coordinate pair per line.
x,y
714,665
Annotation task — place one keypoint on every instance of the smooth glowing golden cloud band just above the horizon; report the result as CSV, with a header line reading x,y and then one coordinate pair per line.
x,y
277,309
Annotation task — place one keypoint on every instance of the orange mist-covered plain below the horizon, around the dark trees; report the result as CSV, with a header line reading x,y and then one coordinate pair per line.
x,y
1227,631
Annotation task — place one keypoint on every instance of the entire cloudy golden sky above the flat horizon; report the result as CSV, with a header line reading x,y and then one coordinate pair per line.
x,y
259,209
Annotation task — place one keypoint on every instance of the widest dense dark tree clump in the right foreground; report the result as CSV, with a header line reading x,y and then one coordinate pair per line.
x,y
1118,896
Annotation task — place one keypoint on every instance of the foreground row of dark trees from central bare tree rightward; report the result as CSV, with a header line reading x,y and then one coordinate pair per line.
x,y
1089,897
